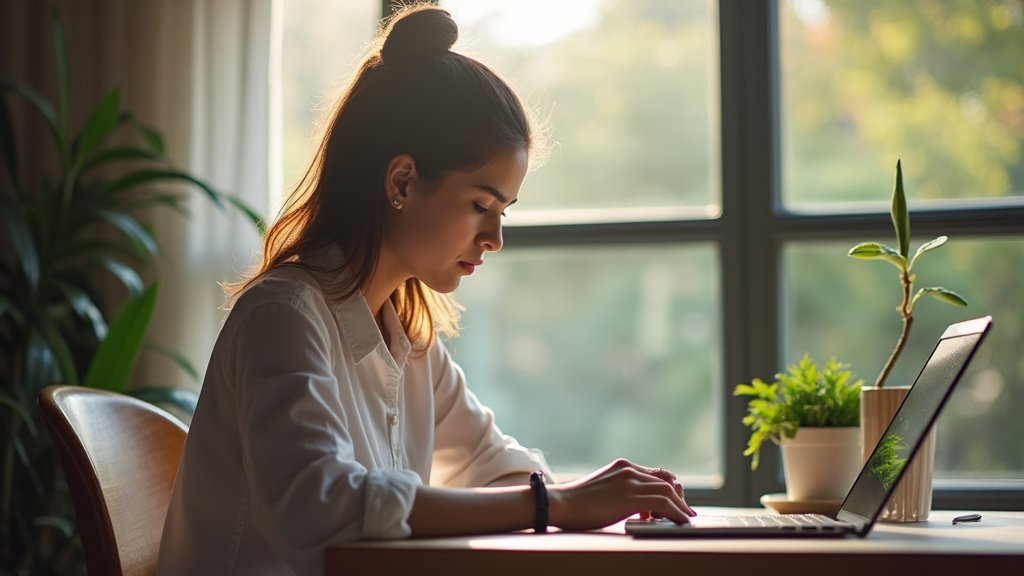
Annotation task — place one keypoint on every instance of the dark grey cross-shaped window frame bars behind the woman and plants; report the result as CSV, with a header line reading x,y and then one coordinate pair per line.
x,y
751,235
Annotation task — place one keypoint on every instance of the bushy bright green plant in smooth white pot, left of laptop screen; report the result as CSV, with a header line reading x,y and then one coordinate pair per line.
x,y
814,414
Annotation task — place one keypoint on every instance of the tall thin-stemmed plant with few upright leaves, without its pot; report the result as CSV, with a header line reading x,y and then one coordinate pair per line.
x,y
903,261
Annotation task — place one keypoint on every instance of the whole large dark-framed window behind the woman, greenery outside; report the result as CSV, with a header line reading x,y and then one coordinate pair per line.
x,y
714,161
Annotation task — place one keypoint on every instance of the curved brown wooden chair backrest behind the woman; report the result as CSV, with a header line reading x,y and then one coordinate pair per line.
x,y
120,457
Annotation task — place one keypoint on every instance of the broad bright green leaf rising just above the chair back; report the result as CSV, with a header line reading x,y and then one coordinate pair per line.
x,y
115,359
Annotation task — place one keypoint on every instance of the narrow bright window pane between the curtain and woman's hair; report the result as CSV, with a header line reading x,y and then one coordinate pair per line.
x,y
322,45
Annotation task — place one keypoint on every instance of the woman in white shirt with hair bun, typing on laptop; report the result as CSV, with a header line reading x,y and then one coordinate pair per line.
x,y
330,410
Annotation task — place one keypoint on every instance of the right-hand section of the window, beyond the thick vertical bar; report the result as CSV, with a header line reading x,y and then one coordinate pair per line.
x,y
940,85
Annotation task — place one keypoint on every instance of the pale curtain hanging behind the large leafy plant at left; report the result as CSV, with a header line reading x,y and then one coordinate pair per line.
x,y
202,73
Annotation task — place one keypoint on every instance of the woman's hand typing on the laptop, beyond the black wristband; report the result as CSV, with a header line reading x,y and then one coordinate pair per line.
x,y
615,492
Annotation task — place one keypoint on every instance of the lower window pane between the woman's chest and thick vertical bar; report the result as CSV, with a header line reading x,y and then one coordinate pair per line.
x,y
596,353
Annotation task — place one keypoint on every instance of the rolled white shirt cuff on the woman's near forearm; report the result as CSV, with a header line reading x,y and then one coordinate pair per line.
x,y
390,502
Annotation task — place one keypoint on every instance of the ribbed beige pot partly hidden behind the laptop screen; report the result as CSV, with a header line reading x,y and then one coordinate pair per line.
x,y
912,502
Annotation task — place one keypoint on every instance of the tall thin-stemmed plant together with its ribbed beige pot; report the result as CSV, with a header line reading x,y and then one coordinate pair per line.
x,y
913,500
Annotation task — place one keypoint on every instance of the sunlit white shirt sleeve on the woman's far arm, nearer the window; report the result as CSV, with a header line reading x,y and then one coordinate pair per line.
x,y
470,448
